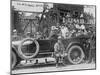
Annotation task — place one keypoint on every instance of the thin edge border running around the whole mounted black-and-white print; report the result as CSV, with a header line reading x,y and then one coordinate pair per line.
x,y
56,3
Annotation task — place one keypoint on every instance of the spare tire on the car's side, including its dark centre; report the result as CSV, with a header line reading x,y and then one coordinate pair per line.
x,y
28,48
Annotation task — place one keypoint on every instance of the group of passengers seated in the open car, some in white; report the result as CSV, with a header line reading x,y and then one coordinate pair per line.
x,y
65,31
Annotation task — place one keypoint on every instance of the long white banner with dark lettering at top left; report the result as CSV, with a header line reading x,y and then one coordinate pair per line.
x,y
28,6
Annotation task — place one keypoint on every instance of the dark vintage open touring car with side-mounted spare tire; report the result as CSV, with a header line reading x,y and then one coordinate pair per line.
x,y
76,48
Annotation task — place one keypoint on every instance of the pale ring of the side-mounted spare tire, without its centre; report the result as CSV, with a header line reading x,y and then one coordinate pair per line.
x,y
28,57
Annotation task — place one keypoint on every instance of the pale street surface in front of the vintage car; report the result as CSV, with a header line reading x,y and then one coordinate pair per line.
x,y
52,67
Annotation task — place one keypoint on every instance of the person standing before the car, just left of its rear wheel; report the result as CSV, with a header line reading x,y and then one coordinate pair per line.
x,y
59,51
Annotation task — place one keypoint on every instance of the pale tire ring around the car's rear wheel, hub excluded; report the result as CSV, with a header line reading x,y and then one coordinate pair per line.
x,y
82,54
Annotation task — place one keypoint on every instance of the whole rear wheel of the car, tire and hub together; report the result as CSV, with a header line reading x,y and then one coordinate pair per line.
x,y
75,54
